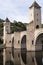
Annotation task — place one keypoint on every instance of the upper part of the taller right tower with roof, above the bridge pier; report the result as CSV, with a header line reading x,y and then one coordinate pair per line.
x,y
35,14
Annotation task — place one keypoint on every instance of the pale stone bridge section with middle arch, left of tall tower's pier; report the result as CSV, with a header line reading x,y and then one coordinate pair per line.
x,y
19,38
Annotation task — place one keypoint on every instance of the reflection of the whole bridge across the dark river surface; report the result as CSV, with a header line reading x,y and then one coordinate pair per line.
x,y
21,57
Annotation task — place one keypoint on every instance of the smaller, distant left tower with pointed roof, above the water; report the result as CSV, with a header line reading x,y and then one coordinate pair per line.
x,y
6,28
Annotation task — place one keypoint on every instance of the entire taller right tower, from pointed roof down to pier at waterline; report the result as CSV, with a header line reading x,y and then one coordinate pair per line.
x,y
35,24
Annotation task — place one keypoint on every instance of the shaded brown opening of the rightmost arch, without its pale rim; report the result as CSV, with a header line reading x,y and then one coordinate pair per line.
x,y
39,42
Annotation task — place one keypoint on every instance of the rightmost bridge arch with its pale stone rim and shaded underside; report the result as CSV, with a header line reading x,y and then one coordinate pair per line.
x,y
38,41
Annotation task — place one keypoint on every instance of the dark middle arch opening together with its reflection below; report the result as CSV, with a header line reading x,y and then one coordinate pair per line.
x,y
23,49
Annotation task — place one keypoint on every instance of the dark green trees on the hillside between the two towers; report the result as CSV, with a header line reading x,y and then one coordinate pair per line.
x,y
17,26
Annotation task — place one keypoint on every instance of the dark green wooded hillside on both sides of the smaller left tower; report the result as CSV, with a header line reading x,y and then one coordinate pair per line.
x,y
15,26
